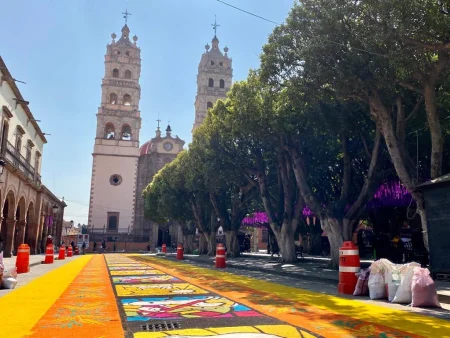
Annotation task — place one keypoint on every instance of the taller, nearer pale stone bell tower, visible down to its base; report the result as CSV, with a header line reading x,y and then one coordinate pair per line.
x,y
116,148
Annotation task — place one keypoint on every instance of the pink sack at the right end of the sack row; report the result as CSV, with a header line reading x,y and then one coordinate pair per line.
x,y
423,289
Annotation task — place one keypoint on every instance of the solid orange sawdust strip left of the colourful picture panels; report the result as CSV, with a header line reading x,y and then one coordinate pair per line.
x,y
86,309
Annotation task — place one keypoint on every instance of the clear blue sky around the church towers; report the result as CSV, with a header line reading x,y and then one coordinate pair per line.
x,y
57,47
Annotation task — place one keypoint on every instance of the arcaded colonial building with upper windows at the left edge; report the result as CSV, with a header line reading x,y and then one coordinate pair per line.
x,y
29,211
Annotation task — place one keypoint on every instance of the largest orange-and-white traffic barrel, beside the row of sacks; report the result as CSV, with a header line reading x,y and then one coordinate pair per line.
x,y
349,266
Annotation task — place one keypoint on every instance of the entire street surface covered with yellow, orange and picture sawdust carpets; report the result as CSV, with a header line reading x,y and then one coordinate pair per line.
x,y
133,295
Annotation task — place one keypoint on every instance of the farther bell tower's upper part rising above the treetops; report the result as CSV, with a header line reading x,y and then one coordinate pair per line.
x,y
214,79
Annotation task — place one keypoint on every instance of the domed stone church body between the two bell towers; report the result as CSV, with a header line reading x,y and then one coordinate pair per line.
x,y
154,155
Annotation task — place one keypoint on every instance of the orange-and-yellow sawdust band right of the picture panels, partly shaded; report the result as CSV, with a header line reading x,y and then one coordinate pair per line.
x,y
326,315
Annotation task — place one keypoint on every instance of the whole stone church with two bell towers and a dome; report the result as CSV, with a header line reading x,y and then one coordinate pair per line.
x,y
121,167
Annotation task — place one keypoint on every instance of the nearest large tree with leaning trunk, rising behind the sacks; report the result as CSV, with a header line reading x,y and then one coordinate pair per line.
x,y
369,51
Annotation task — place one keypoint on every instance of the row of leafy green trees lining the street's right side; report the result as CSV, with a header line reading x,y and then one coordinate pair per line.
x,y
350,95
